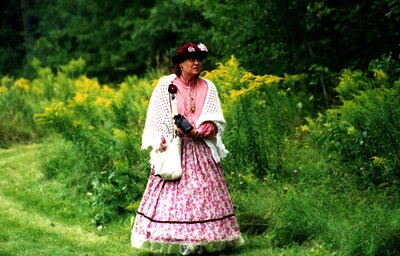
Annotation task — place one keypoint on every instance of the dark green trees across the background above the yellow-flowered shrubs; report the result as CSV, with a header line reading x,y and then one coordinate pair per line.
x,y
121,38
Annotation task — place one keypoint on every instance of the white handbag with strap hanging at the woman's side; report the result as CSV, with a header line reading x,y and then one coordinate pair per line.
x,y
167,164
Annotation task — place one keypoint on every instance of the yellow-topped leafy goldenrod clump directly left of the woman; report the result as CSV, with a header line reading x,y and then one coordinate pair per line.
x,y
104,126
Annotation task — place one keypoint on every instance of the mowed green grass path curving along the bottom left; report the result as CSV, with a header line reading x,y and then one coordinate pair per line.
x,y
41,217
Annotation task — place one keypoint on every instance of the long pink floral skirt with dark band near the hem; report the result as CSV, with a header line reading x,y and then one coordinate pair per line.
x,y
191,214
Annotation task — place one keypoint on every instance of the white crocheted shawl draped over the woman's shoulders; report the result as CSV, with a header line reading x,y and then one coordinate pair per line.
x,y
160,123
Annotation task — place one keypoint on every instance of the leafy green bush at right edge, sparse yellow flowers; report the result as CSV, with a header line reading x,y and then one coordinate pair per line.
x,y
363,132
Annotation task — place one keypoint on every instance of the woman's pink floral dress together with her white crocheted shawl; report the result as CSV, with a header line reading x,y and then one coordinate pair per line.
x,y
193,213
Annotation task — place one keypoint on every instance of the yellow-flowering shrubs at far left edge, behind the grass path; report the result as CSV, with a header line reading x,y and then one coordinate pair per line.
x,y
21,99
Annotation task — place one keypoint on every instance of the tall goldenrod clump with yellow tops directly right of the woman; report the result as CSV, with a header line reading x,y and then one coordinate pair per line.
x,y
261,112
